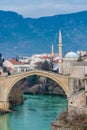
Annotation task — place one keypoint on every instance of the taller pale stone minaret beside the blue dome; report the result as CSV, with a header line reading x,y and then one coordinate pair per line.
x,y
60,52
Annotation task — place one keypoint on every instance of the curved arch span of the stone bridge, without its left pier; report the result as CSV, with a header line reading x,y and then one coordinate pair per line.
x,y
61,80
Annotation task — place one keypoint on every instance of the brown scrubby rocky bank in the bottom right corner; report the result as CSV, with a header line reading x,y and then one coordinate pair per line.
x,y
79,122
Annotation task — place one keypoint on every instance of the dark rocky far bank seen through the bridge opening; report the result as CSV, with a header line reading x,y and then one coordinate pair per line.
x,y
44,86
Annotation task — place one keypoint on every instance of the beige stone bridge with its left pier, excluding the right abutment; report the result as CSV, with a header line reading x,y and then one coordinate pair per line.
x,y
8,82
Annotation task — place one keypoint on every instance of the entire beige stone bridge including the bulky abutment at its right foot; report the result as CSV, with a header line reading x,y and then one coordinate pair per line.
x,y
76,100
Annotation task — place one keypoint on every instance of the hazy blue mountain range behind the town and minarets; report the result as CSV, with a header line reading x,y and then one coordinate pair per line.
x,y
26,36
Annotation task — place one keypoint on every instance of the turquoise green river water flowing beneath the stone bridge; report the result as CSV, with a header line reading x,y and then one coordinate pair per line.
x,y
36,113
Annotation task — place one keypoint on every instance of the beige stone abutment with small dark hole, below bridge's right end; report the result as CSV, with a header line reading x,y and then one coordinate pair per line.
x,y
76,104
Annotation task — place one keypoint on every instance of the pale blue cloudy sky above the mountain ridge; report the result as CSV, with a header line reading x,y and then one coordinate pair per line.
x,y
40,8
